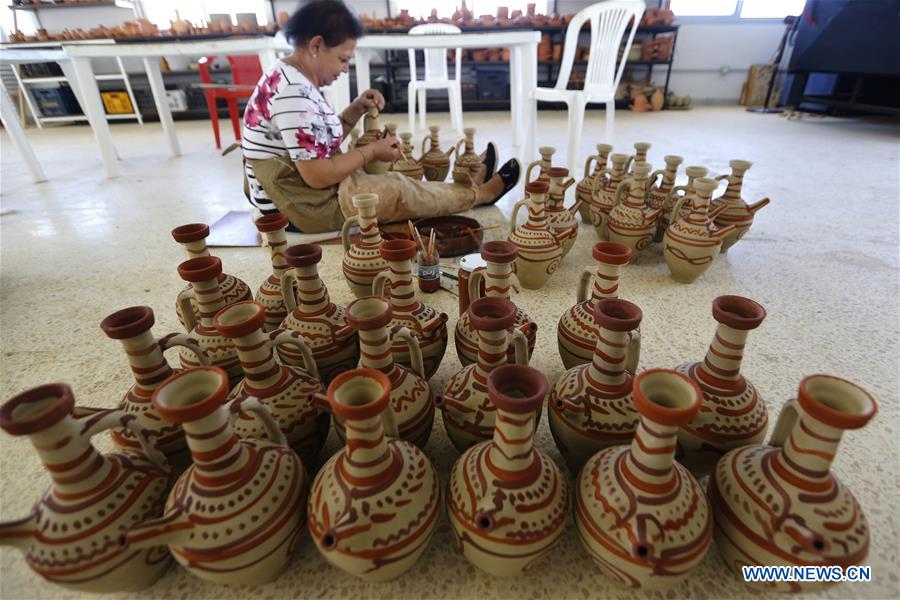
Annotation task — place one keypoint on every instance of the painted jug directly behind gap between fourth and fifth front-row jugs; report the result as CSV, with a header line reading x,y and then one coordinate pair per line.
x,y
591,405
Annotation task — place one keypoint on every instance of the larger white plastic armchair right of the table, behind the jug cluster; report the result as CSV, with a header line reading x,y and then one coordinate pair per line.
x,y
609,20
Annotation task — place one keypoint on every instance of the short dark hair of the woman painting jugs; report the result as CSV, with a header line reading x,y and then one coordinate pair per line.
x,y
329,18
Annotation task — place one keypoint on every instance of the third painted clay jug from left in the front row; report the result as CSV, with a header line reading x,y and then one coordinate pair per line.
x,y
375,503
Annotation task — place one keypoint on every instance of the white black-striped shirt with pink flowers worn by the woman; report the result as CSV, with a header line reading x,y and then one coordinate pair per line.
x,y
286,116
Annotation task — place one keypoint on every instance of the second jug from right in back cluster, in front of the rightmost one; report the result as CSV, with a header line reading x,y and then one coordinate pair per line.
x,y
692,242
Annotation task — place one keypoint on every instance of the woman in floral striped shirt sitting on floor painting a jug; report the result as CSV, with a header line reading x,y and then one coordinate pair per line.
x,y
291,141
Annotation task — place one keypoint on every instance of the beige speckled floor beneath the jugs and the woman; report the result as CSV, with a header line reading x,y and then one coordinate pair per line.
x,y
822,258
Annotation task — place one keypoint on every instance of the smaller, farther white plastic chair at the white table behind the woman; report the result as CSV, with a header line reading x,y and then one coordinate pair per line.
x,y
436,77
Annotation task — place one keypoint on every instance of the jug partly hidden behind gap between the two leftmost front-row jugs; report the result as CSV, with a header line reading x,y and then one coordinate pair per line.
x,y
131,326
